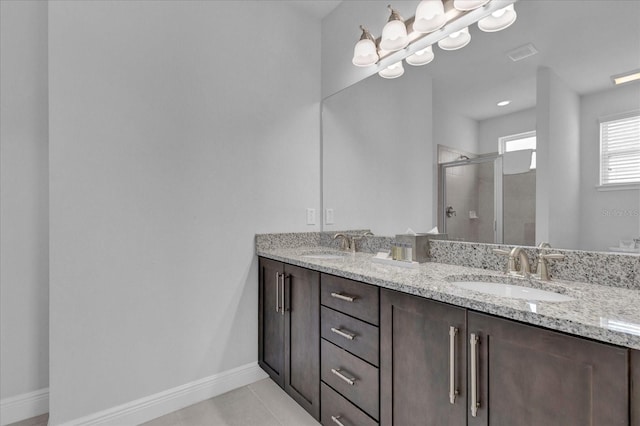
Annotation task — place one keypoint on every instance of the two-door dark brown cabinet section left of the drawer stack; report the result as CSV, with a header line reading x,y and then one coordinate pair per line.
x,y
289,330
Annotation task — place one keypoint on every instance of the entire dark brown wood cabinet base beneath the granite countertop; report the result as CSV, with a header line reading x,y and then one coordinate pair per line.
x,y
431,363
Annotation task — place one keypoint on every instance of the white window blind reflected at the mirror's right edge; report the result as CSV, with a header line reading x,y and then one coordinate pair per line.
x,y
620,149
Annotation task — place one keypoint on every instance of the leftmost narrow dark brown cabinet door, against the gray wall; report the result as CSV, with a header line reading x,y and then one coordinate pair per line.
x,y
271,320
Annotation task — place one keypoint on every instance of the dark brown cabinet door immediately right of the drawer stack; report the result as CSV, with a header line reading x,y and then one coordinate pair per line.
x,y
416,372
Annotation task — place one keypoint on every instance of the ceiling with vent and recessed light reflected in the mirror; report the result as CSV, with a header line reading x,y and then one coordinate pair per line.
x,y
583,42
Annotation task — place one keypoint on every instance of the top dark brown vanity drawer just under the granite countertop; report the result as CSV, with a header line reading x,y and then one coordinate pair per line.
x,y
351,297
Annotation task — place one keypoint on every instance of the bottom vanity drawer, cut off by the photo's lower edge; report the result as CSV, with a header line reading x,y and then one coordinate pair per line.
x,y
335,406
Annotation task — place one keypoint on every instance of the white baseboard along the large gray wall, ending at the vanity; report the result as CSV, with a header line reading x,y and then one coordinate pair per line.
x,y
150,407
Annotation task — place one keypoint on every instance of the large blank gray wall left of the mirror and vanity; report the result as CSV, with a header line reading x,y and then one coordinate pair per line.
x,y
169,150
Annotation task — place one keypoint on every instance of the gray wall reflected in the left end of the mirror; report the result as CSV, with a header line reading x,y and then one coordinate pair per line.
x,y
376,150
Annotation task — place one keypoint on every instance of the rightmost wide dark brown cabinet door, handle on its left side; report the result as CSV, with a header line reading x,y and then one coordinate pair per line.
x,y
531,376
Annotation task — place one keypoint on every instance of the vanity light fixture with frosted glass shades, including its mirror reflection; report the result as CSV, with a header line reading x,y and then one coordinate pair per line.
x,y
445,22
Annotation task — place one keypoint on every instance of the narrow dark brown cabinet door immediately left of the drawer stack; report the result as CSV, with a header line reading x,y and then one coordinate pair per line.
x,y
302,337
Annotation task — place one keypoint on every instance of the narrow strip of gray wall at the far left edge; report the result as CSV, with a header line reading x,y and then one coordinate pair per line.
x,y
24,243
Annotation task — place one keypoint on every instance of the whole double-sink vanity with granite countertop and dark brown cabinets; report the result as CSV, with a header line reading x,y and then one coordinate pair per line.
x,y
361,343
